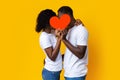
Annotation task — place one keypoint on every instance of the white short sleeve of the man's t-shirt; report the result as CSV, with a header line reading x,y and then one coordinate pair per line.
x,y
82,37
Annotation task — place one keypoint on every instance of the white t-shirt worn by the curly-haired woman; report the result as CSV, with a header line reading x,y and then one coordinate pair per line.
x,y
48,40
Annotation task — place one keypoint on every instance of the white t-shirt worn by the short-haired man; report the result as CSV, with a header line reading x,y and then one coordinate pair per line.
x,y
73,66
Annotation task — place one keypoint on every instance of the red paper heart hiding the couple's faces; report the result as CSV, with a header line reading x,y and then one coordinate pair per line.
x,y
60,23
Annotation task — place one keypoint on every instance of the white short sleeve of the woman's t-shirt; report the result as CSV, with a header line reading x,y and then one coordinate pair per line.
x,y
45,41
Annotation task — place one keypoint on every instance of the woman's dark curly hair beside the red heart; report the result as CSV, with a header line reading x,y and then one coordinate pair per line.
x,y
43,19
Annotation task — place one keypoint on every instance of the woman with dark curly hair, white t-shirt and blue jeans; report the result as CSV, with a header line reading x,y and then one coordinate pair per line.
x,y
50,45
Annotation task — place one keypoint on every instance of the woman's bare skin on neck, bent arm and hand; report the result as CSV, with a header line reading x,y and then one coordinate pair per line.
x,y
52,53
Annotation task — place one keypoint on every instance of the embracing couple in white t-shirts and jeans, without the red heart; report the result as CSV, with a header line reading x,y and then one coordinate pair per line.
x,y
75,37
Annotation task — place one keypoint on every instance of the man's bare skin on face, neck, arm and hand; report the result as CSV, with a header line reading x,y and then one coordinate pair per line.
x,y
78,51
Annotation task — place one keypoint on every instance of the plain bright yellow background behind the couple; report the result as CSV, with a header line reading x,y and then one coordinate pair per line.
x,y
21,57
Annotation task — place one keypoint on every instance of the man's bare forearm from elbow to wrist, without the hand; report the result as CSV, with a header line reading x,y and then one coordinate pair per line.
x,y
76,51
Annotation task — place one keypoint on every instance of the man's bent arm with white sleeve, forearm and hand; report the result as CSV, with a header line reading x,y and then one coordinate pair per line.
x,y
78,51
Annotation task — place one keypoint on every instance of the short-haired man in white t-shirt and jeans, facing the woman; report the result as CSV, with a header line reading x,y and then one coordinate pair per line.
x,y
76,56
